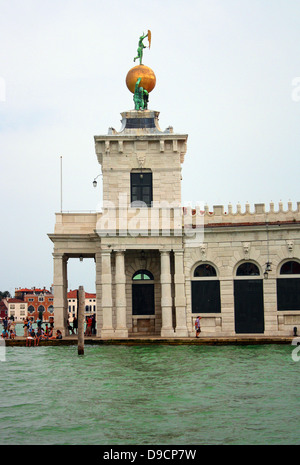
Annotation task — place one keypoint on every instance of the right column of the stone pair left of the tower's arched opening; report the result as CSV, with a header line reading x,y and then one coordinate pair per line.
x,y
121,329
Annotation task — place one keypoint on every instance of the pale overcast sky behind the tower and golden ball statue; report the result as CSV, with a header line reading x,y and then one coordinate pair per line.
x,y
226,75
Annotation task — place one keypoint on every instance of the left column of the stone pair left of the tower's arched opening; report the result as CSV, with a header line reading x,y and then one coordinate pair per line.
x,y
106,281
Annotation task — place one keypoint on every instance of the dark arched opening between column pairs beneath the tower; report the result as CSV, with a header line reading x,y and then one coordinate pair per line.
x,y
143,293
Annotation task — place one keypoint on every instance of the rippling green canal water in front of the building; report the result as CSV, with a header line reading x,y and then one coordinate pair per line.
x,y
150,395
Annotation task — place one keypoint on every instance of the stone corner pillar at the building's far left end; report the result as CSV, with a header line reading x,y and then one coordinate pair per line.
x,y
60,289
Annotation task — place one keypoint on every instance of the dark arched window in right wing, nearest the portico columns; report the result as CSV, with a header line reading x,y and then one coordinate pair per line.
x,y
205,290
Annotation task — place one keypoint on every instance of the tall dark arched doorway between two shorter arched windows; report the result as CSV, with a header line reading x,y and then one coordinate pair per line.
x,y
248,299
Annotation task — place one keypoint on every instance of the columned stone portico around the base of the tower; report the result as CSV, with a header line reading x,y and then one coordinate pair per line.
x,y
116,263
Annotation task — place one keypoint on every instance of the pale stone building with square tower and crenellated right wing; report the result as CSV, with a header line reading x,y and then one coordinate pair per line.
x,y
159,265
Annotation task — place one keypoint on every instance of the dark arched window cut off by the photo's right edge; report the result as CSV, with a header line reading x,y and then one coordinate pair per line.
x,y
288,286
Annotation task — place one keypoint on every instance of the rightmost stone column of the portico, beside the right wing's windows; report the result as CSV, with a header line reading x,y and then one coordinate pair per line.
x,y
180,299
